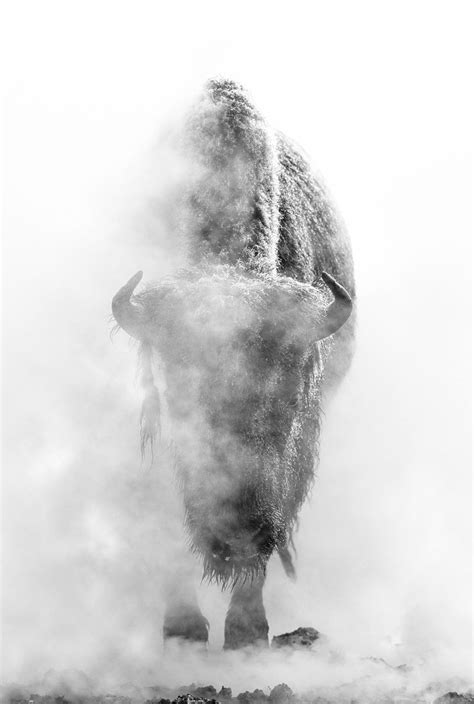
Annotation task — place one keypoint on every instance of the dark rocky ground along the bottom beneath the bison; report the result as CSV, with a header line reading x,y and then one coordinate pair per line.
x,y
376,682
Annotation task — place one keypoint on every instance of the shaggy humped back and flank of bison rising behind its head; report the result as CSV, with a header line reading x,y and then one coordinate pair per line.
x,y
254,199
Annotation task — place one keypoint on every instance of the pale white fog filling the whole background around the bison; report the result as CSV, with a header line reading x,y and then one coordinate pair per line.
x,y
377,96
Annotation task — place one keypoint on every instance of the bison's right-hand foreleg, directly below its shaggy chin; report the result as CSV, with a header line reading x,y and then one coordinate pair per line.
x,y
246,623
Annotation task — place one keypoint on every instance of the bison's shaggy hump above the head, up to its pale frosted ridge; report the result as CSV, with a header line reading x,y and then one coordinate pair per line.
x,y
232,204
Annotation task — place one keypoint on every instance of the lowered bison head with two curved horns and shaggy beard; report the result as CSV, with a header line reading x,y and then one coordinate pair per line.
x,y
243,371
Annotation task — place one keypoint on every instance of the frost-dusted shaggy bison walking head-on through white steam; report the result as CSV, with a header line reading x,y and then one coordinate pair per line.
x,y
250,334
